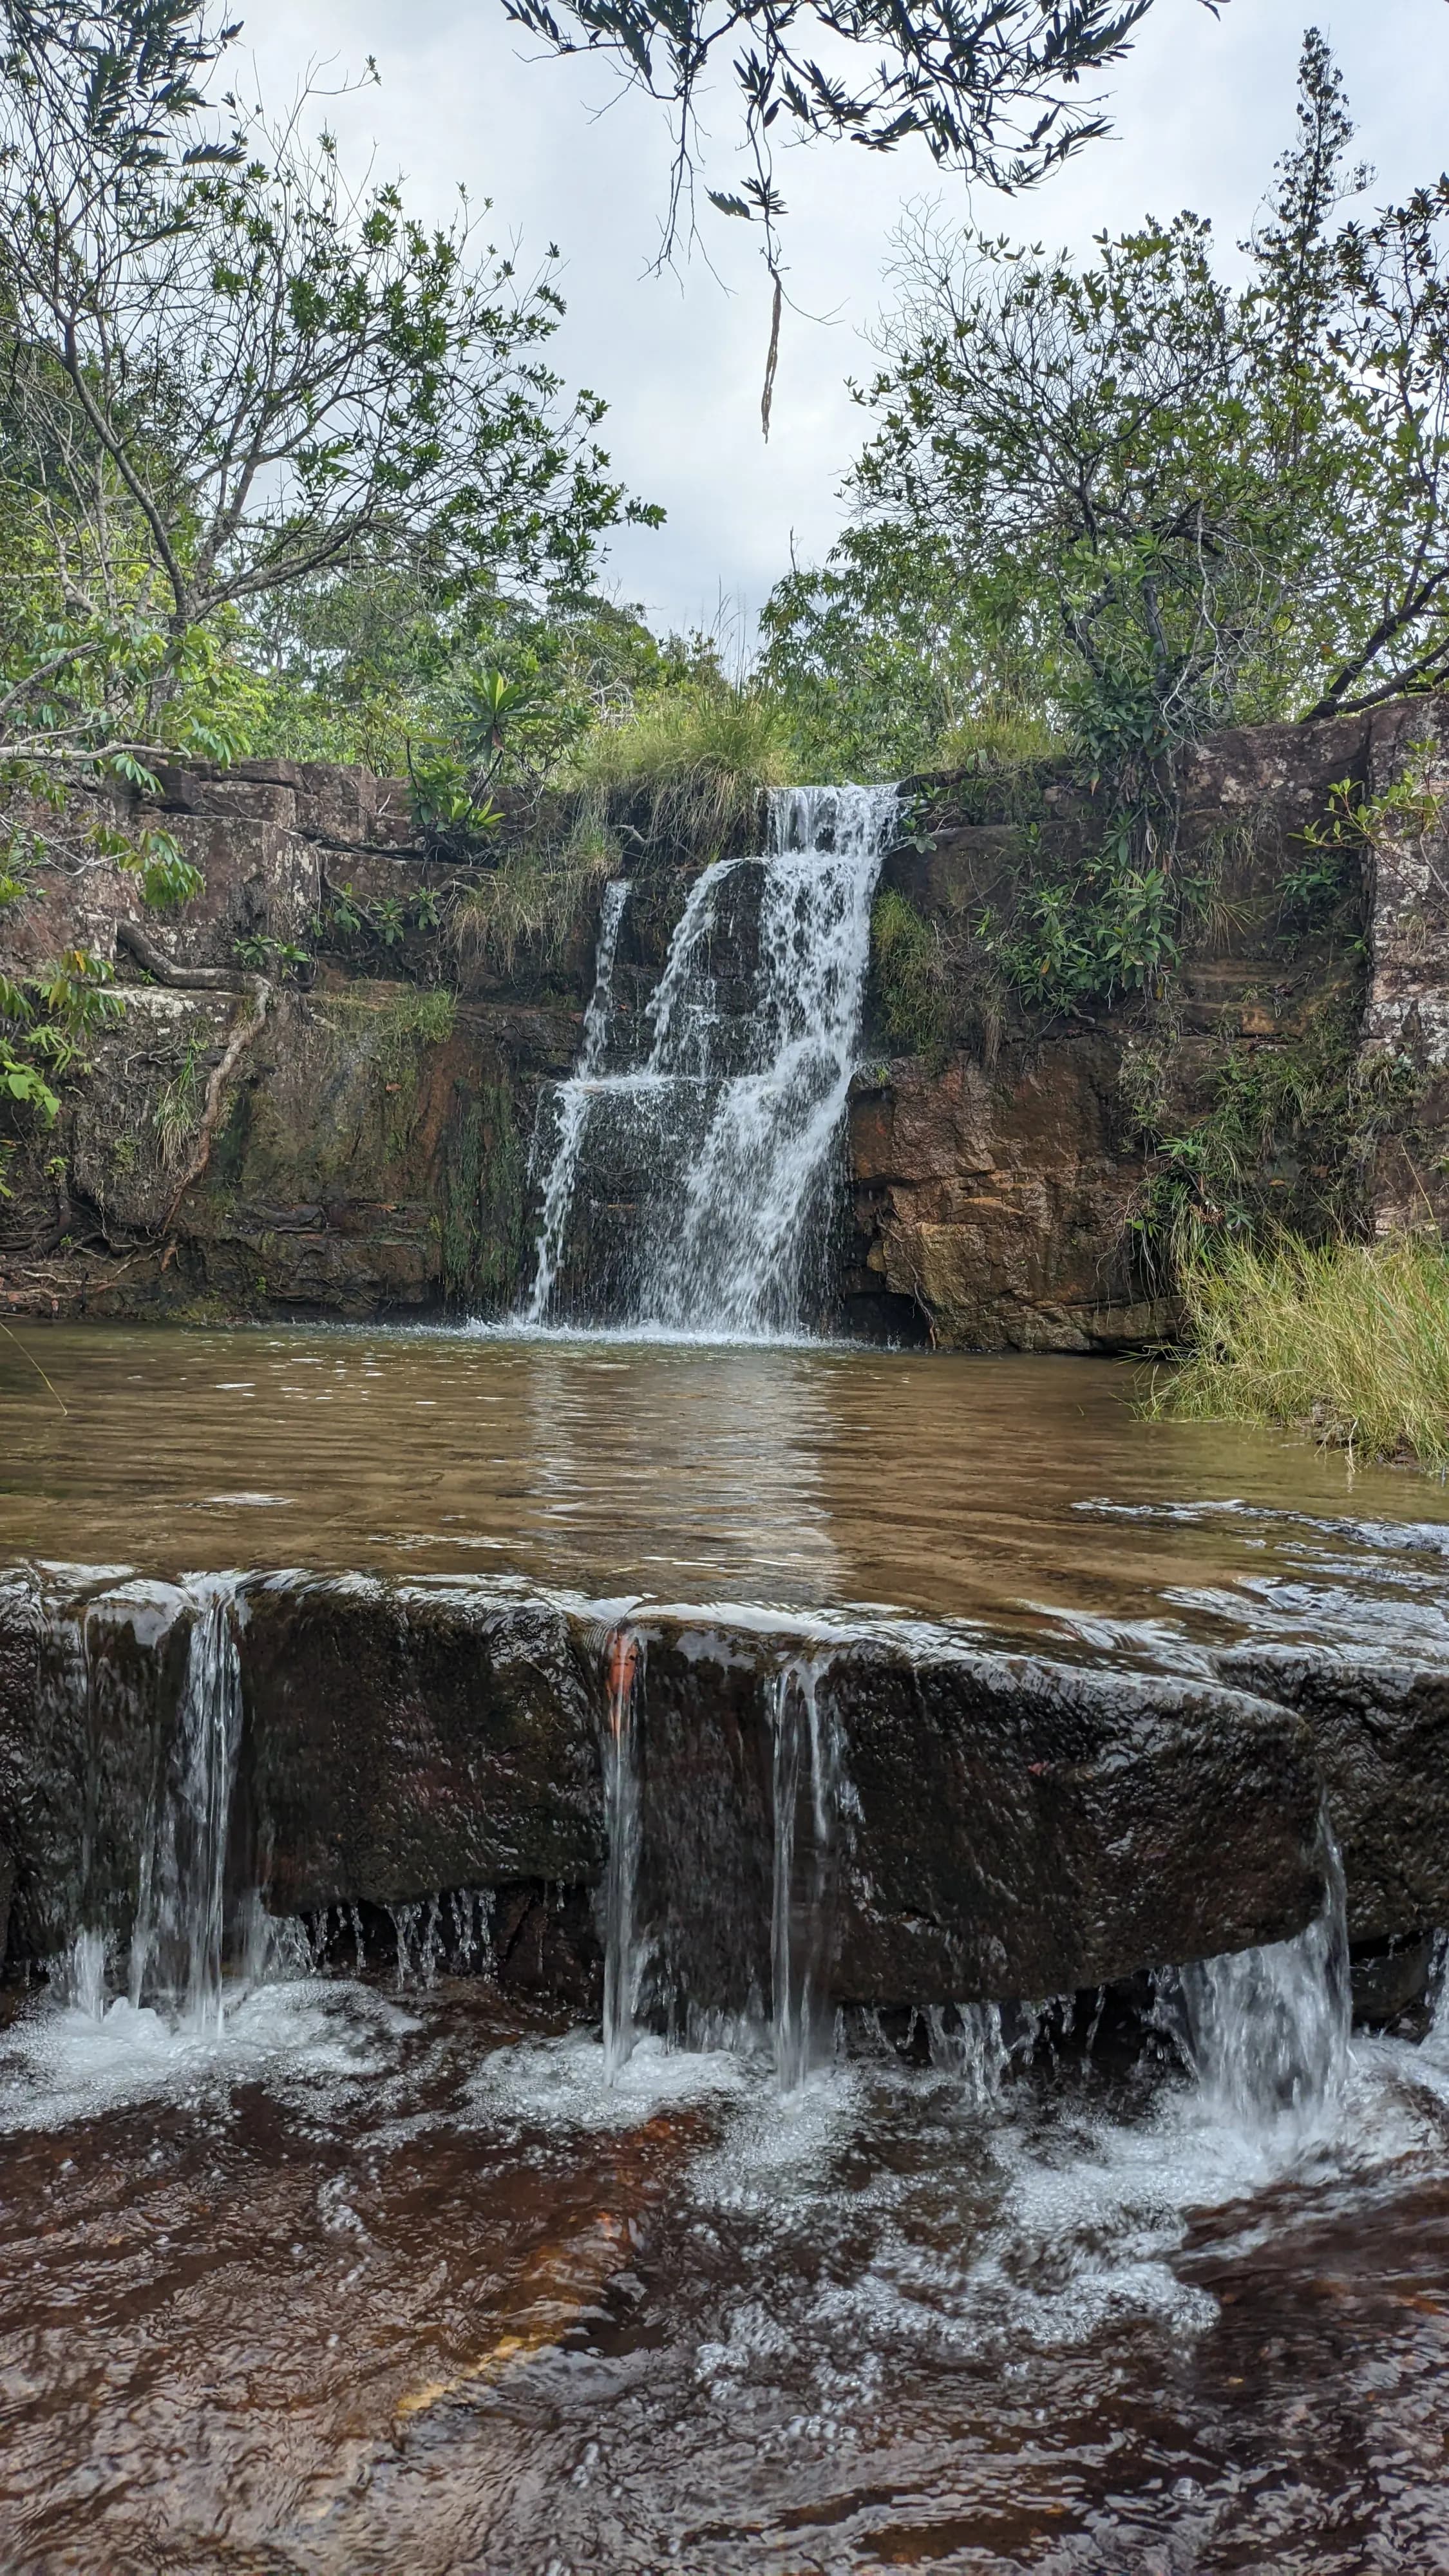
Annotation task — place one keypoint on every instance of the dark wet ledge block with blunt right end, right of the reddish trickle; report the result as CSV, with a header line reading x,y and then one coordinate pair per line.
x,y
997,1828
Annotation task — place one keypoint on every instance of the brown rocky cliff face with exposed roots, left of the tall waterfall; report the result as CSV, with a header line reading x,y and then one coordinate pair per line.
x,y
241,1145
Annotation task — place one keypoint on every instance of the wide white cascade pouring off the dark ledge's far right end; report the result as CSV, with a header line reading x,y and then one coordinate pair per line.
x,y
1267,2029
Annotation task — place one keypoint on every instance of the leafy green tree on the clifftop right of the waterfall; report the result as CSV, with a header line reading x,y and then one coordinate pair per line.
x,y
1208,501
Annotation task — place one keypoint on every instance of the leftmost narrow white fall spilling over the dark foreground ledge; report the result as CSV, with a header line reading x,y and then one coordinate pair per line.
x,y
177,1946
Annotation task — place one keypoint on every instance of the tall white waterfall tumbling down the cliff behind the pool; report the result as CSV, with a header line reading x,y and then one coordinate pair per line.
x,y
718,1145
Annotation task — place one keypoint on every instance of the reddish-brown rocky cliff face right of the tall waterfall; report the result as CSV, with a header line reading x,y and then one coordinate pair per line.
x,y
1002,1186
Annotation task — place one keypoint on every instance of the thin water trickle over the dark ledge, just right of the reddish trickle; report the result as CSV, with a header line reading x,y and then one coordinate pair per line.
x,y
806,1792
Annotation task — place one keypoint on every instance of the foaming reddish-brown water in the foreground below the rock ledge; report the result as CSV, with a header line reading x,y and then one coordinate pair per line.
x,y
396,2286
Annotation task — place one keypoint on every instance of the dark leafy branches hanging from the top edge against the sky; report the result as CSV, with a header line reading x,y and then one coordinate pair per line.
x,y
989,86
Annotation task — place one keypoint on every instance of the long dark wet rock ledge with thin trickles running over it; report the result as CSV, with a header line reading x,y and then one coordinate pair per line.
x,y
958,1825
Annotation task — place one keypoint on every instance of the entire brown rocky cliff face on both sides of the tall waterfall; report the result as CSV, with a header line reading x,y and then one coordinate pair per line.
x,y
357,1142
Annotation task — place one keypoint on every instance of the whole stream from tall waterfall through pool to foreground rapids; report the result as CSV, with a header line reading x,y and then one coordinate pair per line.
x,y
404,1730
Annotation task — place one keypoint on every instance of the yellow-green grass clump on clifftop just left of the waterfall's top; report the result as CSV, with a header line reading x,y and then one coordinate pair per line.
x,y
700,759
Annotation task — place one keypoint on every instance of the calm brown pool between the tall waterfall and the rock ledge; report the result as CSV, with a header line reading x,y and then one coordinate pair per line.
x,y
1025,1493
